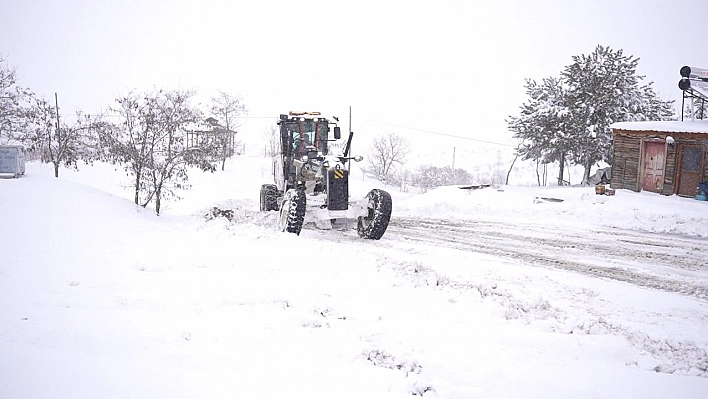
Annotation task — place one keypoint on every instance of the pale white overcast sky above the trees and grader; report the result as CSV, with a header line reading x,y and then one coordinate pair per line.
x,y
456,67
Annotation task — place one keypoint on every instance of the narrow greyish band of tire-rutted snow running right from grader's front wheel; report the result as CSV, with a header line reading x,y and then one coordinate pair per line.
x,y
650,260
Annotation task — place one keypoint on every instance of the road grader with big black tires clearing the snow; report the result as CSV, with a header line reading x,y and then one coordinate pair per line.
x,y
312,187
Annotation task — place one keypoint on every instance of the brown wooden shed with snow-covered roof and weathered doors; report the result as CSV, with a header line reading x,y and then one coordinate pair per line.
x,y
667,157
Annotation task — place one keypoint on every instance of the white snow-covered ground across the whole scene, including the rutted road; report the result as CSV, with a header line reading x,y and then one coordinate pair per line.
x,y
490,293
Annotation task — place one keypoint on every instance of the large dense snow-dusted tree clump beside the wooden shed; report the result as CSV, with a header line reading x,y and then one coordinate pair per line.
x,y
567,119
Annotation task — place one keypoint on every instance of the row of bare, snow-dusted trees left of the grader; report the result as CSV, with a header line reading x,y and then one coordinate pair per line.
x,y
145,134
